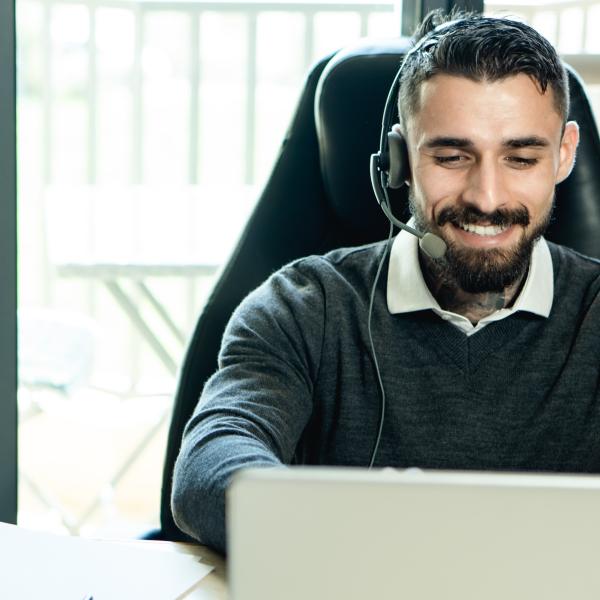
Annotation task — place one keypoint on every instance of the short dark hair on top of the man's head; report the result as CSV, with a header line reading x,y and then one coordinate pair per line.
x,y
482,49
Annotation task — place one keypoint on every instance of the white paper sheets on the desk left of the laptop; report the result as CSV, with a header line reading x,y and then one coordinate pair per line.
x,y
53,567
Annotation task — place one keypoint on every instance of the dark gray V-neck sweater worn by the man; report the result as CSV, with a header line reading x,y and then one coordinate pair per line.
x,y
296,384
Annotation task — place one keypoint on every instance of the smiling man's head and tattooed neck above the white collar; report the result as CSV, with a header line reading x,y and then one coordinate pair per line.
x,y
488,142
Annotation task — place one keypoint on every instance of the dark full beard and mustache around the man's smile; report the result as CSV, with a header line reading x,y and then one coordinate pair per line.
x,y
481,270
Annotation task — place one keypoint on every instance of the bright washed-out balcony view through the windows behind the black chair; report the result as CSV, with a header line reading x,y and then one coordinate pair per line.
x,y
145,132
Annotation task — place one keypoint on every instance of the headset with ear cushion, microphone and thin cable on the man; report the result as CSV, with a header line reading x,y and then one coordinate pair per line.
x,y
390,169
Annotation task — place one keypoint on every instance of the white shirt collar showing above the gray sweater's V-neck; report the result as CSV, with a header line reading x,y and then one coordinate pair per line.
x,y
408,292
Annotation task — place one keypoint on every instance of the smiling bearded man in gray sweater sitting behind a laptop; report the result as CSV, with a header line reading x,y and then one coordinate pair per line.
x,y
488,357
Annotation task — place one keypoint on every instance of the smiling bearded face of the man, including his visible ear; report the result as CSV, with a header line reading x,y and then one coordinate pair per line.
x,y
485,158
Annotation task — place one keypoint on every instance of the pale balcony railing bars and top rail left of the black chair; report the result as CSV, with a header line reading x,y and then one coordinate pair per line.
x,y
194,12
